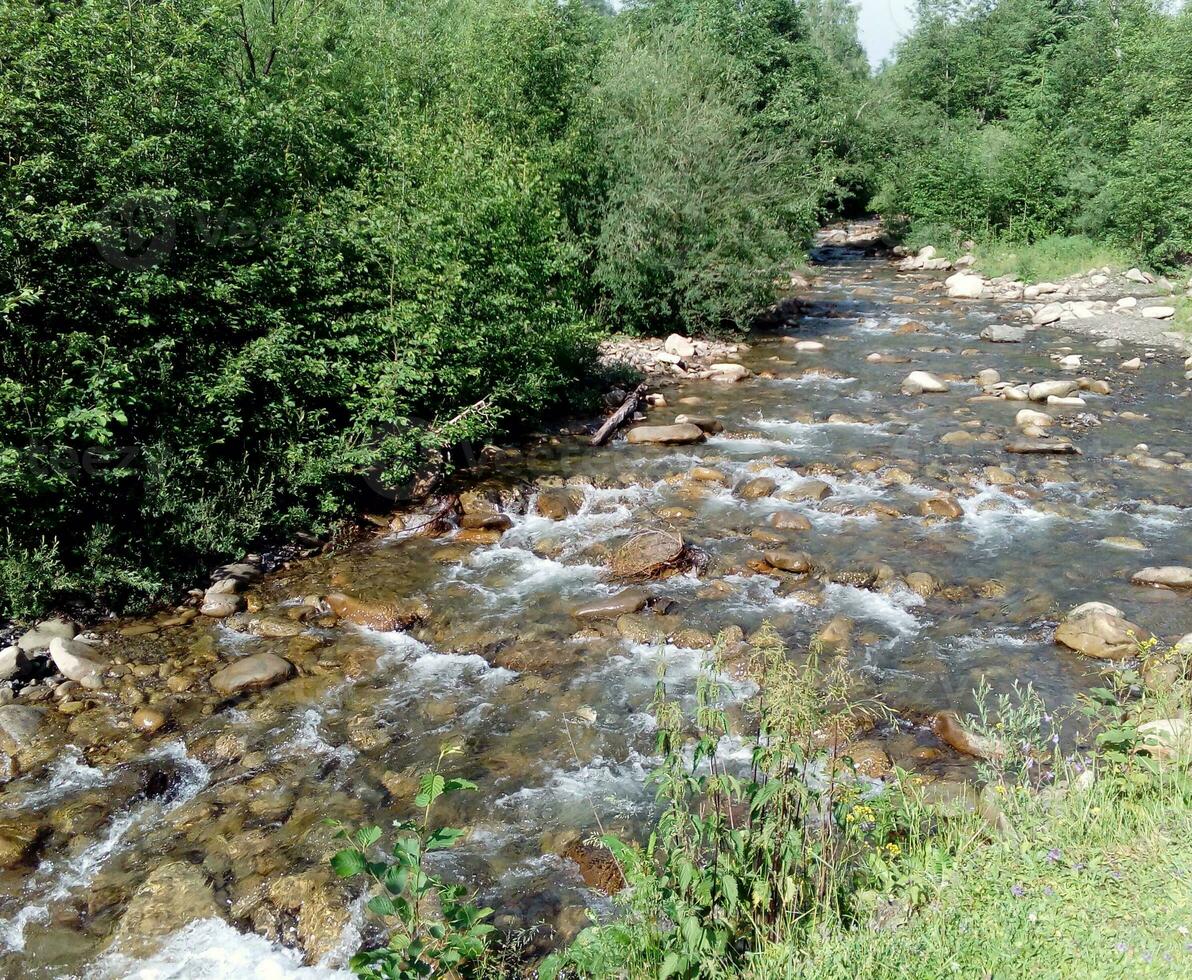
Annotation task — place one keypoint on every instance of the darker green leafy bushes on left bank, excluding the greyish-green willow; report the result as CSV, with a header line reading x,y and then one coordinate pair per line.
x,y
257,278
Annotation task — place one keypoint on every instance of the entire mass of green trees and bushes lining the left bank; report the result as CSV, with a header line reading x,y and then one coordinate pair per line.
x,y
262,258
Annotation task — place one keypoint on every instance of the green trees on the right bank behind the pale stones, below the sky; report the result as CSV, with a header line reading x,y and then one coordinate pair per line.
x,y
1020,121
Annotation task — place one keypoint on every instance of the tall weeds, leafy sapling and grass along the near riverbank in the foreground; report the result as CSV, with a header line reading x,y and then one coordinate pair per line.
x,y
1064,861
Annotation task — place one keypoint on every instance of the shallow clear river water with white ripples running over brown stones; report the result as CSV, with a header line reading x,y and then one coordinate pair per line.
x,y
555,716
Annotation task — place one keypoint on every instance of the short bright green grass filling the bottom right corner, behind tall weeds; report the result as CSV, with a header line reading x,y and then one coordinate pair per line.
x,y
1097,886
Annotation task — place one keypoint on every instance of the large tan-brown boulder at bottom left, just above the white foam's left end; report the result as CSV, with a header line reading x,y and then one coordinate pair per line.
x,y
171,897
